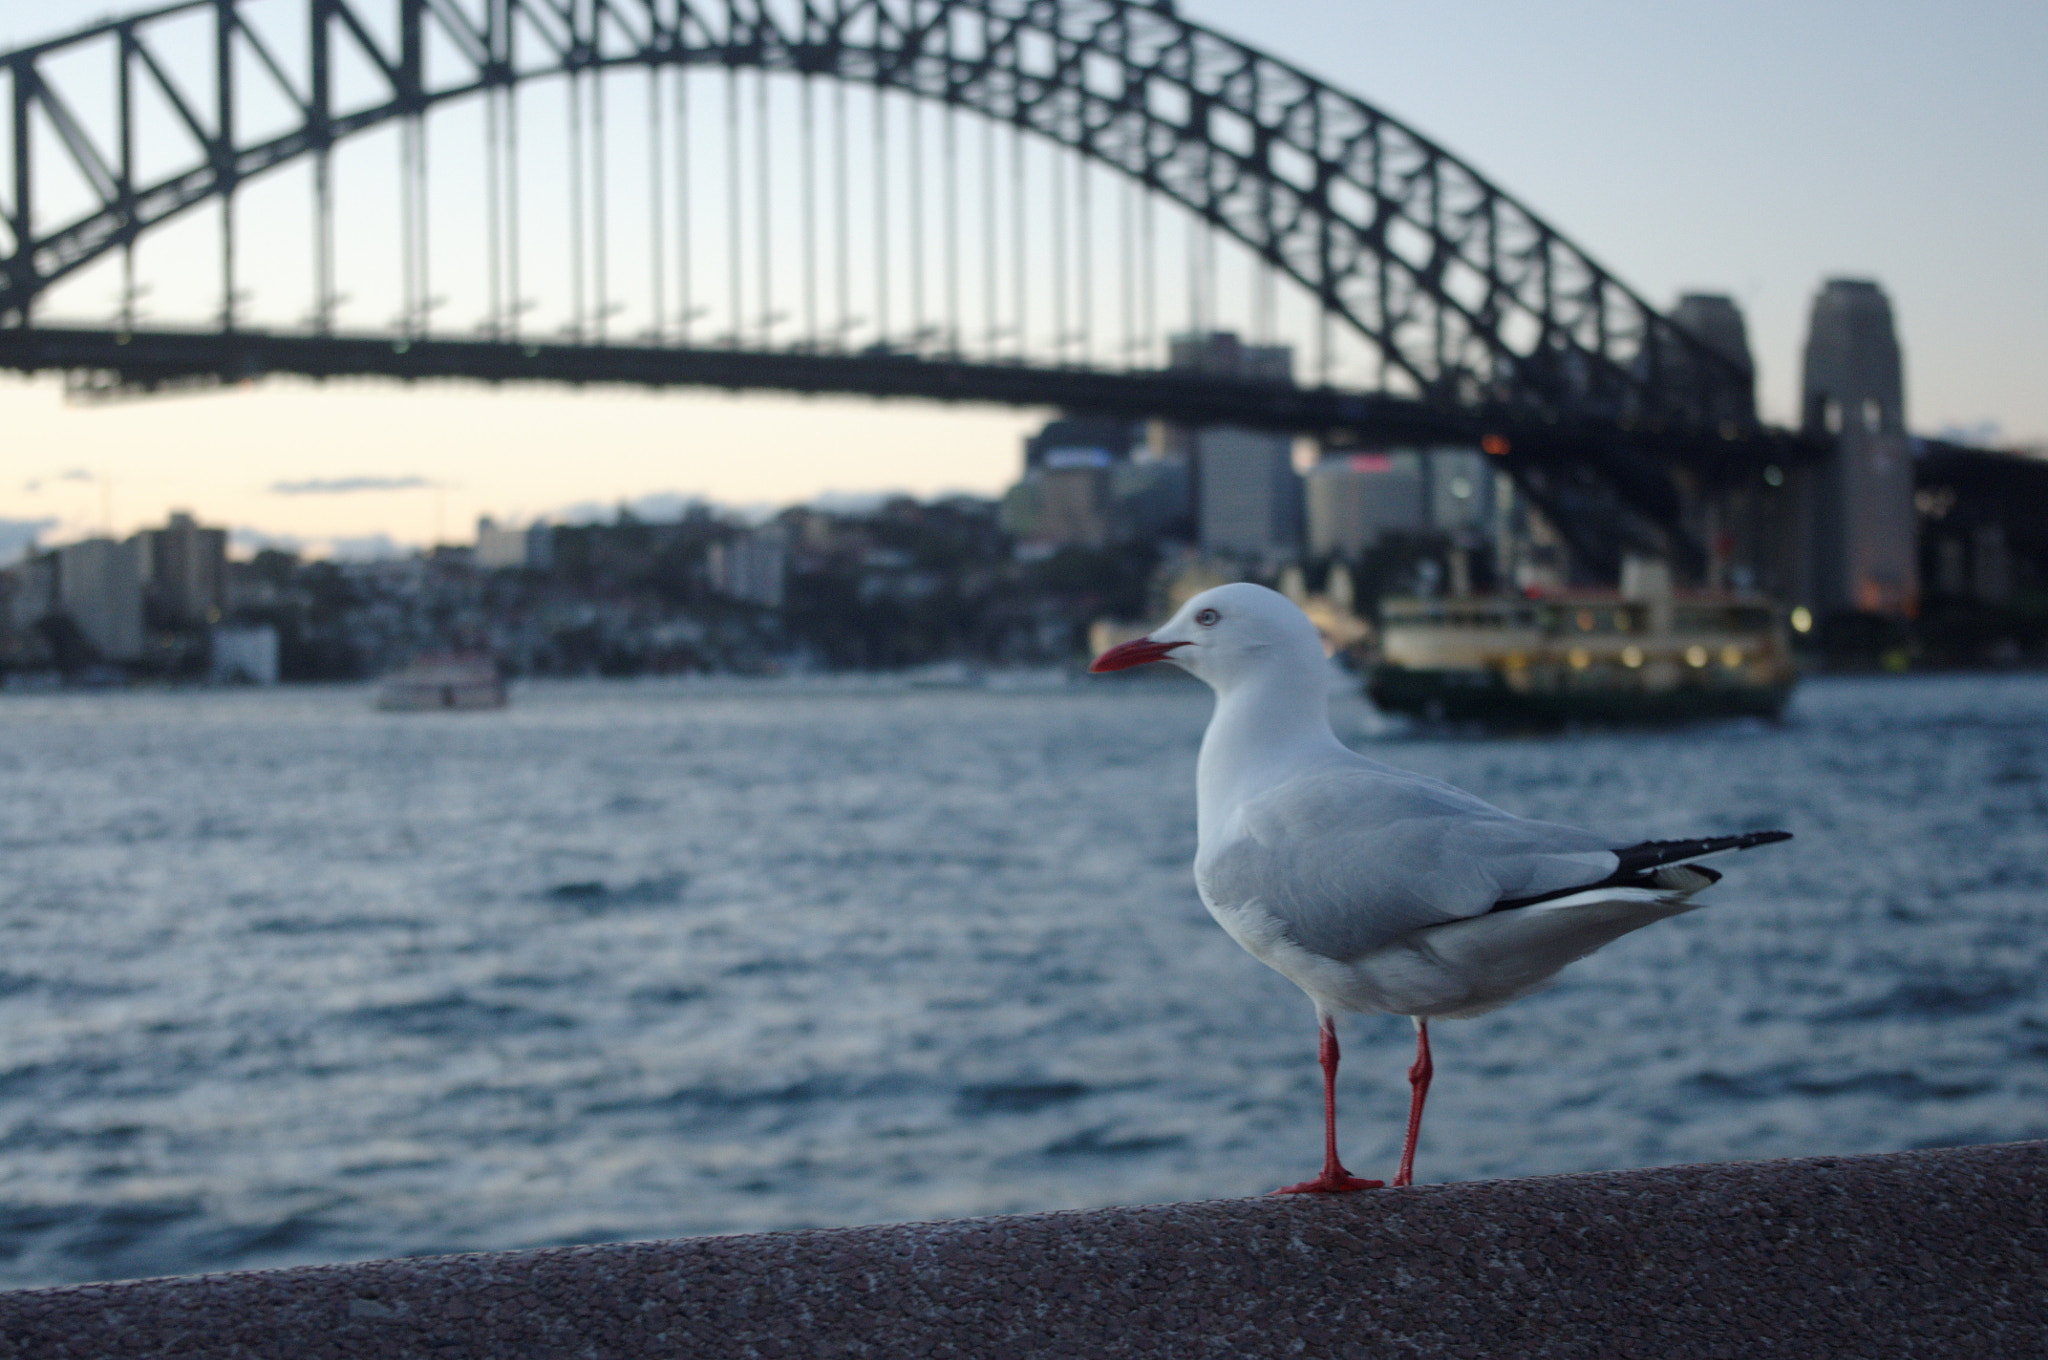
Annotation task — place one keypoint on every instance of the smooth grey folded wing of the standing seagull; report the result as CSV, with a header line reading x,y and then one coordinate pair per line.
x,y
1351,859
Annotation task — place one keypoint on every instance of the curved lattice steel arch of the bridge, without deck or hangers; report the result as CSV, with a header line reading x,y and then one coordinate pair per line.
x,y
1469,298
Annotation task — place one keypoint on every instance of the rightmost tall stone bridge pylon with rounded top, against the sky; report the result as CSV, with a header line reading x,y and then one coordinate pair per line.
x,y
1863,552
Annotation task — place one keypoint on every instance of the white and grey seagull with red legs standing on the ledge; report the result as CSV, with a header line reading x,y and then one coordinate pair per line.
x,y
1373,888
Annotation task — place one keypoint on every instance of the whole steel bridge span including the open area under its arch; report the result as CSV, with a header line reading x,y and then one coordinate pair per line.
x,y
665,192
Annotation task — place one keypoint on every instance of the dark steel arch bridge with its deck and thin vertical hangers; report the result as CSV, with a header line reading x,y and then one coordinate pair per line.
x,y
1482,316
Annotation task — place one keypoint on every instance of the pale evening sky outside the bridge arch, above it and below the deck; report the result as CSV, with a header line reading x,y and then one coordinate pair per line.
x,y
1738,146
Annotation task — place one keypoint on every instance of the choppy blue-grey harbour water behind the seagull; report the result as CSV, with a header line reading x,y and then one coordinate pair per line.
x,y
286,980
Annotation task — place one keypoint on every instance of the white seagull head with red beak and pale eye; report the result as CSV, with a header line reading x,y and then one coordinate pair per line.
x,y
1228,636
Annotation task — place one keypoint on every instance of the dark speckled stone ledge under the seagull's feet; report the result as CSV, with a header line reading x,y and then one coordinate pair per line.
x,y
1926,1255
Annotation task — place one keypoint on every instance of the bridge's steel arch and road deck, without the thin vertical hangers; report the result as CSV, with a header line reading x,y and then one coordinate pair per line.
x,y
1486,318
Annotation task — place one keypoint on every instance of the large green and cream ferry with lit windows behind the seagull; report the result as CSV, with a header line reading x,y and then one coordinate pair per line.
x,y
1584,656
